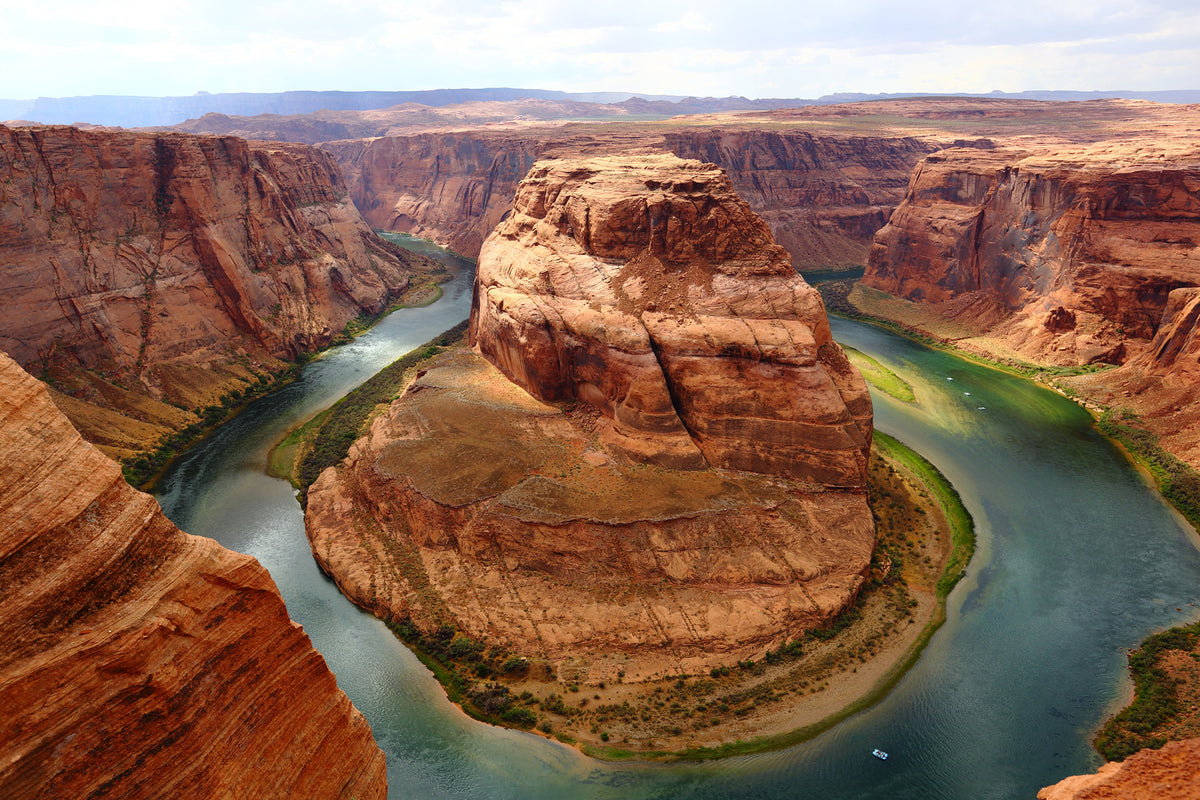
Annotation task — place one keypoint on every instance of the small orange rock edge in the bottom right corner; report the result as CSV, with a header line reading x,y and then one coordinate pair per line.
x,y
1167,774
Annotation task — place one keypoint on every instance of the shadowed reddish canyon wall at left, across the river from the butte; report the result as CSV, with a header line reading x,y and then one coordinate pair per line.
x,y
151,274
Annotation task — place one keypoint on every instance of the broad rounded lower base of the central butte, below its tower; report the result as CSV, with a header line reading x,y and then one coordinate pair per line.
x,y
473,504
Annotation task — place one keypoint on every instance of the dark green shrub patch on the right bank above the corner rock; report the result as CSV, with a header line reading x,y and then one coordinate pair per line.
x,y
1156,703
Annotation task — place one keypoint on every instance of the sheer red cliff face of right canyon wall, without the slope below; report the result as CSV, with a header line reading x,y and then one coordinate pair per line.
x,y
1101,236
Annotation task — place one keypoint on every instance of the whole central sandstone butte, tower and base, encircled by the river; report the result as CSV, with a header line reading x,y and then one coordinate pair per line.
x,y
652,330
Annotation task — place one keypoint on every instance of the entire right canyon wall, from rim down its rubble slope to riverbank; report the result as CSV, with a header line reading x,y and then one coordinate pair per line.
x,y
1084,256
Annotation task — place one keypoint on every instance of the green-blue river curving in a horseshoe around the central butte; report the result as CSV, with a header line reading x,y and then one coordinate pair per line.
x,y
1078,561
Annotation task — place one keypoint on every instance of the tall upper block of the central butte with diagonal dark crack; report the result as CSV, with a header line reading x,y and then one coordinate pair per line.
x,y
644,286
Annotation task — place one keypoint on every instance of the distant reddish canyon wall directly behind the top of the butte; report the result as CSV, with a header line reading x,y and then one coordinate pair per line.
x,y
823,196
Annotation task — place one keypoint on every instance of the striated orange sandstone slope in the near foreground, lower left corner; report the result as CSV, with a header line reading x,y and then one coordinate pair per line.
x,y
143,663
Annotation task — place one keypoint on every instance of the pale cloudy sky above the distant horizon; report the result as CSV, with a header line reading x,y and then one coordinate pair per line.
x,y
754,49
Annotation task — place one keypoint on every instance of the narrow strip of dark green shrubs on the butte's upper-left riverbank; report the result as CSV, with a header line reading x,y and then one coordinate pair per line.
x,y
347,420
